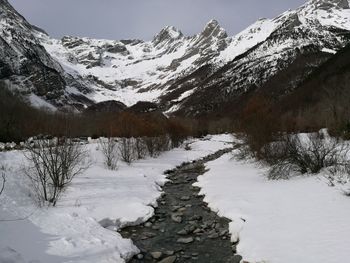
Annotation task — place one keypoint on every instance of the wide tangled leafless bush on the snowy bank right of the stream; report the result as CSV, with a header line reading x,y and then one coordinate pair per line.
x,y
305,155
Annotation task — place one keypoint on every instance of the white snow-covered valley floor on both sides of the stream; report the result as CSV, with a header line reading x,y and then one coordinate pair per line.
x,y
299,220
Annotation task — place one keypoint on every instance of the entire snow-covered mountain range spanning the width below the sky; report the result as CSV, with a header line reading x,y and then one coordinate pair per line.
x,y
194,75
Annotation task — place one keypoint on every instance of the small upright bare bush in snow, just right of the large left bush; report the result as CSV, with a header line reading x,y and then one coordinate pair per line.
x,y
109,148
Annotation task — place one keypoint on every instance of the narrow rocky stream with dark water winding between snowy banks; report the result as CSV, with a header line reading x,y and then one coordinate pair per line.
x,y
183,228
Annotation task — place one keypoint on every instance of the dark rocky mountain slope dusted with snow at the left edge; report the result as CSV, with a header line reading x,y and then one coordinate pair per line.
x,y
25,64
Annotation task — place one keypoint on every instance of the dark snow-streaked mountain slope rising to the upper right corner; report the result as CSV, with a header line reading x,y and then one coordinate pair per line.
x,y
301,33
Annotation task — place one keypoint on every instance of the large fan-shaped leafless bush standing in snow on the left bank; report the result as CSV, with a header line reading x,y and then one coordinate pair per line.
x,y
53,165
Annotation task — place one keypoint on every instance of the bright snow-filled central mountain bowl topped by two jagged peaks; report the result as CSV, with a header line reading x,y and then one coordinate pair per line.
x,y
132,70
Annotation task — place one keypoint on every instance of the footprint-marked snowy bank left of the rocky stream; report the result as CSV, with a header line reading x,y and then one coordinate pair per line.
x,y
72,231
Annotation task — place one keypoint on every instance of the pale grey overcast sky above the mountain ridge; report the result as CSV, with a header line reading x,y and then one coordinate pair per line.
x,y
123,19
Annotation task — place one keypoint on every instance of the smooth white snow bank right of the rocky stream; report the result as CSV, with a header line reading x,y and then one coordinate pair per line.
x,y
297,220
